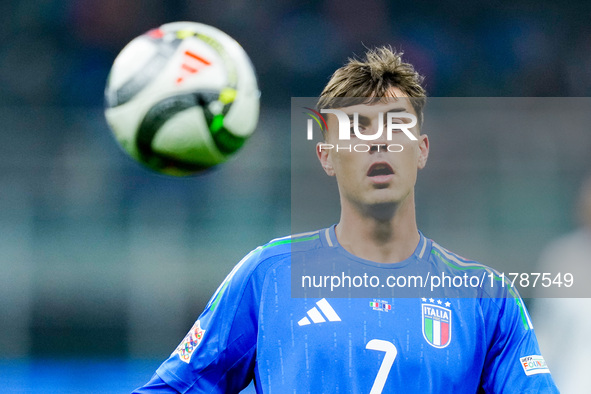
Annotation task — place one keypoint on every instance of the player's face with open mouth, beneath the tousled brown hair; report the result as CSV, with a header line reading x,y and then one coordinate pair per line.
x,y
378,176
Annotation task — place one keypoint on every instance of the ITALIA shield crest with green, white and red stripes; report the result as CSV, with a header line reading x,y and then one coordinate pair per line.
x,y
436,322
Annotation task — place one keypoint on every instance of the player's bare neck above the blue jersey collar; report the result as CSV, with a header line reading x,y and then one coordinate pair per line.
x,y
383,239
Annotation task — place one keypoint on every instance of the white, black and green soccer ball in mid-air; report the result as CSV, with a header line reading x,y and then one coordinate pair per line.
x,y
182,98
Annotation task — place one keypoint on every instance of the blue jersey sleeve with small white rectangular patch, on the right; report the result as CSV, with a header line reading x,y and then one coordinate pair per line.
x,y
513,363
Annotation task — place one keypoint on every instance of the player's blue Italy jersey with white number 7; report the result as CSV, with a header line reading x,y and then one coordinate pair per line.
x,y
253,328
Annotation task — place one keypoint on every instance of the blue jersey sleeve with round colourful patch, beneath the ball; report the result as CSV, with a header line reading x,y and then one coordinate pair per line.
x,y
218,353
